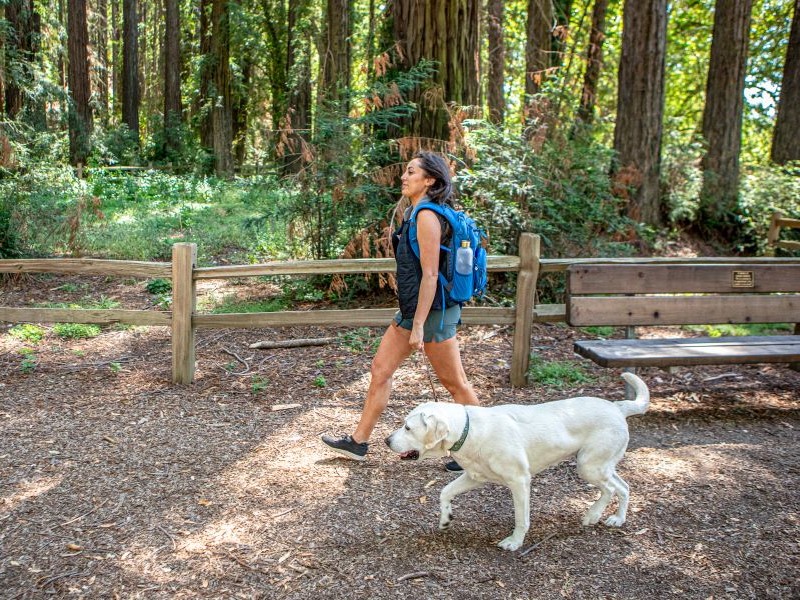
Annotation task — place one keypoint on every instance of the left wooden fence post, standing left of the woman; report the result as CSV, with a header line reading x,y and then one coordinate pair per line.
x,y
183,305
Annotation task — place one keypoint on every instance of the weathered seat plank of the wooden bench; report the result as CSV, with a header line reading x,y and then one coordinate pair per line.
x,y
691,351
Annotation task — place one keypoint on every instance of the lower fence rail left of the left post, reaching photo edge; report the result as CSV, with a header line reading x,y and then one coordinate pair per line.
x,y
73,315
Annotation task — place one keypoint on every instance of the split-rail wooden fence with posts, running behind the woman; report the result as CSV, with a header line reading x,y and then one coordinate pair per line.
x,y
184,320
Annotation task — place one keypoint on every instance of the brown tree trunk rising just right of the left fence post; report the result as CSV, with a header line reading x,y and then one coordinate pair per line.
x,y
221,112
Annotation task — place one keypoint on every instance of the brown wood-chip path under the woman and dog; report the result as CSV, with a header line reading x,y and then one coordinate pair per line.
x,y
116,484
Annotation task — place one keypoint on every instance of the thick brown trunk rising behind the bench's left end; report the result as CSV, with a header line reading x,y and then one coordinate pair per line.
x,y
640,106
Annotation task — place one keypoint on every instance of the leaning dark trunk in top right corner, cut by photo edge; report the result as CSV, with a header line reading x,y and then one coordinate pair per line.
x,y
786,136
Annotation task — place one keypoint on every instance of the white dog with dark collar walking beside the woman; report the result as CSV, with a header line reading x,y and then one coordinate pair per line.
x,y
508,444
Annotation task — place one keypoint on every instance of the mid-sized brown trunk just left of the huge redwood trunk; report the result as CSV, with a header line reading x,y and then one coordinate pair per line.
x,y
335,59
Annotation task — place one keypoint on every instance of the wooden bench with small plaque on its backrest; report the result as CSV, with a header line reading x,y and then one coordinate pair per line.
x,y
685,294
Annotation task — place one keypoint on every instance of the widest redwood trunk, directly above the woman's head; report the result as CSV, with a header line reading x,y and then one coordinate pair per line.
x,y
445,32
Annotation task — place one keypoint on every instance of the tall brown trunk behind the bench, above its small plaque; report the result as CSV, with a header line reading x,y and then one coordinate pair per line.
x,y
722,115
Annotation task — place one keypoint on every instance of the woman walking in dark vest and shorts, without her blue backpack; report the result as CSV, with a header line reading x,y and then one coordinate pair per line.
x,y
418,325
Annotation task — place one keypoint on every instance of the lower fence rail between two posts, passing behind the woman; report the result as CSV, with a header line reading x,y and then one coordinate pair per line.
x,y
368,317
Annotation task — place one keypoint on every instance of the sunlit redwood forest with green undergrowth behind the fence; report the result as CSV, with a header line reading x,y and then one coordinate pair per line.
x,y
267,130
